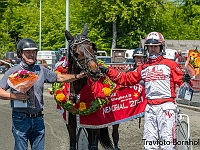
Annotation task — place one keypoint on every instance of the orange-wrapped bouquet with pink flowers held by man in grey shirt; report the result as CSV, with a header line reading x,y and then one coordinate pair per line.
x,y
22,80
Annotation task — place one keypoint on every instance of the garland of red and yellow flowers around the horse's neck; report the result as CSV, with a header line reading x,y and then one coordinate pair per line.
x,y
104,88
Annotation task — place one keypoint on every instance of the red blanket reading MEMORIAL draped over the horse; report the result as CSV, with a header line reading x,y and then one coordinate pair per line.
x,y
125,103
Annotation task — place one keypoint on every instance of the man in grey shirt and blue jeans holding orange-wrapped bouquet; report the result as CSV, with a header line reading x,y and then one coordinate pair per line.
x,y
26,82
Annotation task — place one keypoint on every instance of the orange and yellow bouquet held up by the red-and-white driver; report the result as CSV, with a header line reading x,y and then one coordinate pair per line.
x,y
193,62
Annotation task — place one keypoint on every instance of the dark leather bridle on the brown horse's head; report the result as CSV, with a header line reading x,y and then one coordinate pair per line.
x,y
83,62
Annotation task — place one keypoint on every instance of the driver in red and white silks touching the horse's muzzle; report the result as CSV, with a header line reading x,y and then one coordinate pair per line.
x,y
160,76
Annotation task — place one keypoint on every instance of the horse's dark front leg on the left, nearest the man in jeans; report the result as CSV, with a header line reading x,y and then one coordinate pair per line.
x,y
71,127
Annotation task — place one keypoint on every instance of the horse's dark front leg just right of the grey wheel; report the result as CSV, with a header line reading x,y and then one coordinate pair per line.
x,y
93,136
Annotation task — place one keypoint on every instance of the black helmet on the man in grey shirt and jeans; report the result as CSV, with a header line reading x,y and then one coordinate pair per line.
x,y
25,44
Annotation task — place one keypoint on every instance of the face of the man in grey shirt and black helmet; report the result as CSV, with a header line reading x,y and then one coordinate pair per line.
x,y
29,56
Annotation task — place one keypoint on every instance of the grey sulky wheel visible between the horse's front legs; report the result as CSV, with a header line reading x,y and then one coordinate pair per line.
x,y
82,139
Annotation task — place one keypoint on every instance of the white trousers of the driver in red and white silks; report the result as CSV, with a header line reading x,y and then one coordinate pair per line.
x,y
160,126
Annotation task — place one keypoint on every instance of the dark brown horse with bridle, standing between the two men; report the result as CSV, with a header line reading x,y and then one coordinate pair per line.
x,y
81,57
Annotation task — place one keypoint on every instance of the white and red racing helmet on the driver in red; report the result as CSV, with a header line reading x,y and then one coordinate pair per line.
x,y
155,38
